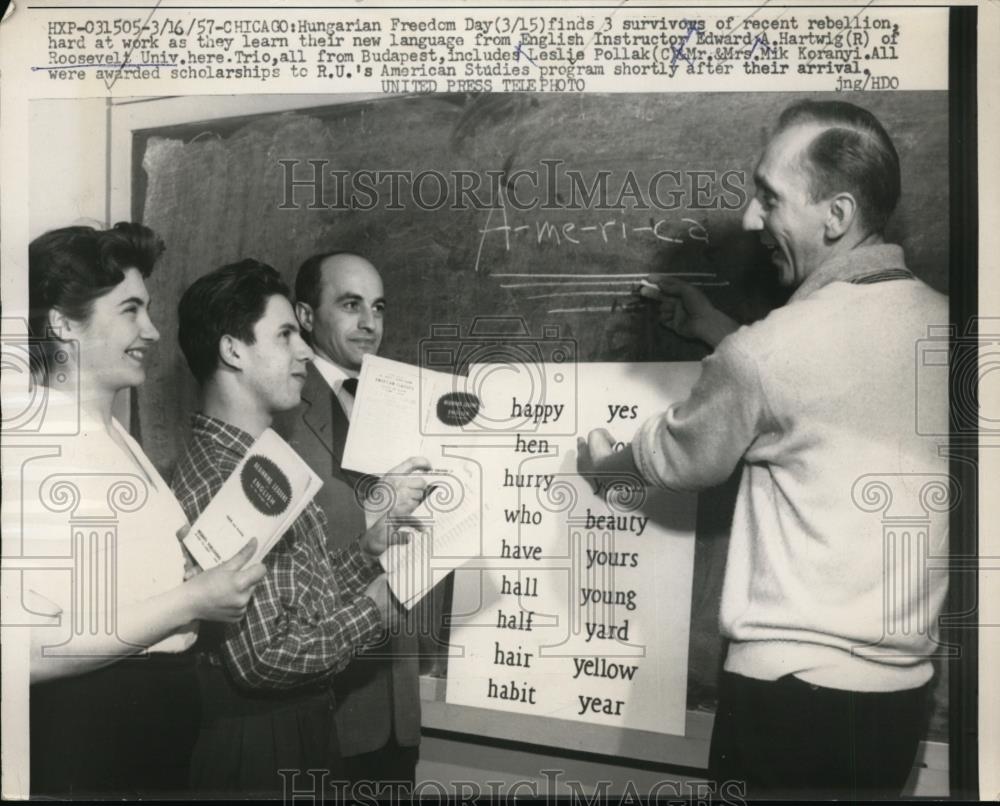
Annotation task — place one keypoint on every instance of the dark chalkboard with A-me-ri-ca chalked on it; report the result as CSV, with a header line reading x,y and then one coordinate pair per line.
x,y
217,192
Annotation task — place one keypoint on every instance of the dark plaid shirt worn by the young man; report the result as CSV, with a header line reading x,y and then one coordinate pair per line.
x,y
307,617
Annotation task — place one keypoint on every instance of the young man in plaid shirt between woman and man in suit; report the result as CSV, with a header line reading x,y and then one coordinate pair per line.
x,y
267,700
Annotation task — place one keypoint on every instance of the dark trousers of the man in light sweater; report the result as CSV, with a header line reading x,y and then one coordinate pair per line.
x,y
788,739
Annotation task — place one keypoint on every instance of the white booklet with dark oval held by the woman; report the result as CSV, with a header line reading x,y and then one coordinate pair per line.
x,y
262,498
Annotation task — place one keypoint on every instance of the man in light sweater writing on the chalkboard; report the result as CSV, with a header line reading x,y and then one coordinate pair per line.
x,y
827,671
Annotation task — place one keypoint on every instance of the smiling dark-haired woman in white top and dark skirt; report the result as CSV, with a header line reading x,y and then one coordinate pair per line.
x,y
114,695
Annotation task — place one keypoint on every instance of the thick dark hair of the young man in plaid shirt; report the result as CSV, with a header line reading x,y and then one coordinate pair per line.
x,y
226,302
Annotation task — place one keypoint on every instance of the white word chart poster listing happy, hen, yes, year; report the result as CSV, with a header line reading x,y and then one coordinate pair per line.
x,y
579,608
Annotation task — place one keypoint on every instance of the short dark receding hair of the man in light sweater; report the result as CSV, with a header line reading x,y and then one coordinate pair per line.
x,y
853,153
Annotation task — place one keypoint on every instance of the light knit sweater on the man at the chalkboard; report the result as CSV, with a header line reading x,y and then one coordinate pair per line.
x,y
841,515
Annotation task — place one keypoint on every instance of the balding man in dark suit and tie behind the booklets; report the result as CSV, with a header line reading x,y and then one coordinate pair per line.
x,y
340,305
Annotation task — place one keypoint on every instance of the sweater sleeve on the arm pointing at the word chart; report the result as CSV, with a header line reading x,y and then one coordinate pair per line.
x,y
698,442
